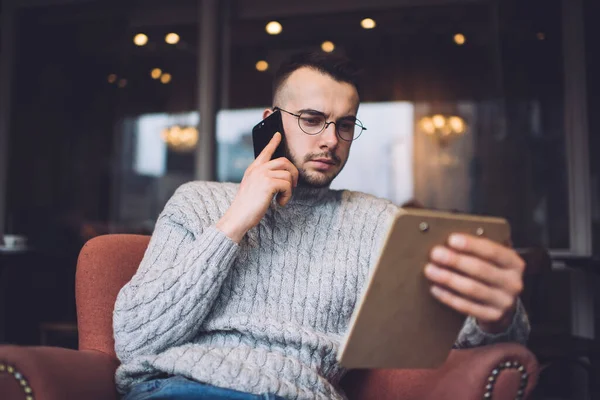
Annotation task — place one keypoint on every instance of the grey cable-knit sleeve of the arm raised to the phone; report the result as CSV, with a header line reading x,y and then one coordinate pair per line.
x,y
175,286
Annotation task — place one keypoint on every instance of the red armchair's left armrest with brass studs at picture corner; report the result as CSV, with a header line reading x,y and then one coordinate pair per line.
x,y
53,373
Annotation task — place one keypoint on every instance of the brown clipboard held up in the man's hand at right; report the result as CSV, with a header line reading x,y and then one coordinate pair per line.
x,y
397,322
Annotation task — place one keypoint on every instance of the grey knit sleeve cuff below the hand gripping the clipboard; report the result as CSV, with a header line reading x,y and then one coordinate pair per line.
x,y
471,335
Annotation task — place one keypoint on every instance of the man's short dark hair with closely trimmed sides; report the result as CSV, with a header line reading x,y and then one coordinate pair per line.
x,y
337,66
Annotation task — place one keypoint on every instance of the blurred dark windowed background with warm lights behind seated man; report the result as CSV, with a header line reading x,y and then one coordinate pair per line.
x,y
480,106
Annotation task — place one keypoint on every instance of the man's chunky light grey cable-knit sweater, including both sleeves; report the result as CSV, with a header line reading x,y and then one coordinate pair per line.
x,y
266,315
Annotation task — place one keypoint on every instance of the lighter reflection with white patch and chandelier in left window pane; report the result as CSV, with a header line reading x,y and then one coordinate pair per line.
x,y
157,157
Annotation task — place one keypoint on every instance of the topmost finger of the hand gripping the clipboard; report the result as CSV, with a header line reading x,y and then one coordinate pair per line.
x,y
488,250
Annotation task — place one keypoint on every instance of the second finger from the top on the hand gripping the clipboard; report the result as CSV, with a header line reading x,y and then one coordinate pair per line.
x,y
478,269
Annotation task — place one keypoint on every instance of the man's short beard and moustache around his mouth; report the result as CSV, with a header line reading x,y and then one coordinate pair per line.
x,y
315,179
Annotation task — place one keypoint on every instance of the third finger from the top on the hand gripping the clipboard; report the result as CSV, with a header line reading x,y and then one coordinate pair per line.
x,y
468,288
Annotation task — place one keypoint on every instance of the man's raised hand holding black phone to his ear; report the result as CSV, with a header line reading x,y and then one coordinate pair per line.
x,y
264,178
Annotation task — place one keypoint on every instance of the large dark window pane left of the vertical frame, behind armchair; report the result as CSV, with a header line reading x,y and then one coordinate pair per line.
x,y
91,80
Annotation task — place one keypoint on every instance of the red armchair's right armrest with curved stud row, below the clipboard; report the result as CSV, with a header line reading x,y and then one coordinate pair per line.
x,y
465,375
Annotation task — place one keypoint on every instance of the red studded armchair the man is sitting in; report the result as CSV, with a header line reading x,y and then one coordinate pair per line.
x,y
106,263
